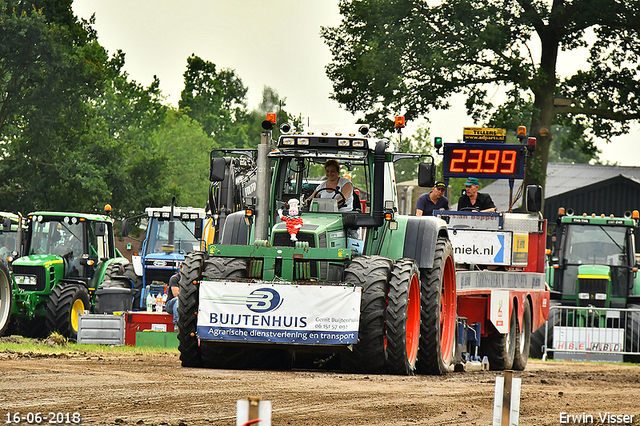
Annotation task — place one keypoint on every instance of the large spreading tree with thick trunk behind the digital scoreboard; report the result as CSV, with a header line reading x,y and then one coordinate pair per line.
x,y
406,56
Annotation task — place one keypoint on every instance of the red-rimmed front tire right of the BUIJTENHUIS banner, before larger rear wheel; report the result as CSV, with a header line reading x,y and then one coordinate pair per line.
x,y
403,318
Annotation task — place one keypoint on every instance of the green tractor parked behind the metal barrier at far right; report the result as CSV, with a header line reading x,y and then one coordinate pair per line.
x,y
593,265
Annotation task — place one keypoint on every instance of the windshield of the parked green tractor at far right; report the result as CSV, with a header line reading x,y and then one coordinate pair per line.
x,y
596,245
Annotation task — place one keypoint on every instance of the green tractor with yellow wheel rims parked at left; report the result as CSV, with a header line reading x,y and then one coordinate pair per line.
x,y
64,261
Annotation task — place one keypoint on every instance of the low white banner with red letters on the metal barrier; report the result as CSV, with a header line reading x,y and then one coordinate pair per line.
x,y
588,339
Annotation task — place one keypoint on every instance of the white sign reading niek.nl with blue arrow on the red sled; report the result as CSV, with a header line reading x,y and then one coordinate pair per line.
x,y
481,247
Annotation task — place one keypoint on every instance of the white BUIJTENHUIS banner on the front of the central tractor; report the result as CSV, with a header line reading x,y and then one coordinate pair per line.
x,y
278,313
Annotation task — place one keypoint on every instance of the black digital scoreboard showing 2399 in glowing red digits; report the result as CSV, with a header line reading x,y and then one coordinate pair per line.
x,y
484,160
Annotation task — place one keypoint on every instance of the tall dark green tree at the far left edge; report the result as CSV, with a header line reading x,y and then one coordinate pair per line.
x,y
51,66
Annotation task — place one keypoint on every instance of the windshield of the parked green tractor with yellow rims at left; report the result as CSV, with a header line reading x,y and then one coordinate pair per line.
x,y
56,237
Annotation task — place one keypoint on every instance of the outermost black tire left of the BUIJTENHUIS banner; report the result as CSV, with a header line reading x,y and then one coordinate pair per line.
x,y
188,344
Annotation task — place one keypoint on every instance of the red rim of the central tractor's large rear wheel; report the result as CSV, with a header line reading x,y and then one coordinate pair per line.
x,y
448,310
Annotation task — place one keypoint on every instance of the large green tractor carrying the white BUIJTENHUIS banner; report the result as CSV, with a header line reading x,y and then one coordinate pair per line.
x,y
354,286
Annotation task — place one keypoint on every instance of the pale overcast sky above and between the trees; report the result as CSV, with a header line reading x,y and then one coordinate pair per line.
x,y
273,43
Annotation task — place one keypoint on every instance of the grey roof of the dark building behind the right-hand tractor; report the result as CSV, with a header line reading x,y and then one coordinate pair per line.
x,y
562,178
